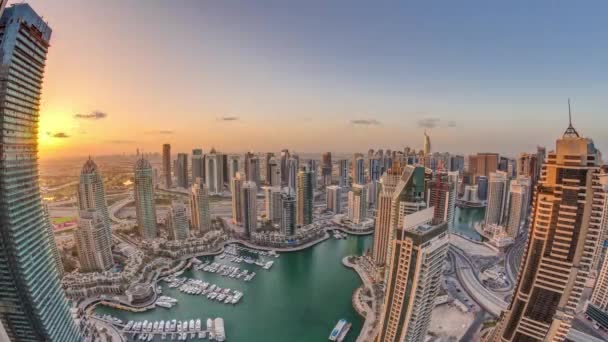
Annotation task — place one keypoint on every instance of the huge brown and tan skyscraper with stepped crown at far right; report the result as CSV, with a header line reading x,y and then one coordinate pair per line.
x,y
563,236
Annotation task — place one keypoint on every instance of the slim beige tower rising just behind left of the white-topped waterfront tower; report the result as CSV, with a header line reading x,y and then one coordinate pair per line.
x,y
384,205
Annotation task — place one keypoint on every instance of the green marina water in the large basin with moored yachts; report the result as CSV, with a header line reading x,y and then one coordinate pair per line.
x,y
300,298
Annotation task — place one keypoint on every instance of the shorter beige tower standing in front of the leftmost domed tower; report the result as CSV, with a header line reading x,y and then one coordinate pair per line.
x,y
93,244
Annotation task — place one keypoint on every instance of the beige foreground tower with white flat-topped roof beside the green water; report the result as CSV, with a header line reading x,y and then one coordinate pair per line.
x,y
414,280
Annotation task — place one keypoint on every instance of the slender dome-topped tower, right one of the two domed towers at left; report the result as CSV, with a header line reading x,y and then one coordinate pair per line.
x,y
145,207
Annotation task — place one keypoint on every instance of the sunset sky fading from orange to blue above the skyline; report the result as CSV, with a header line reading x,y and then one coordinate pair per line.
x,y
316,76
